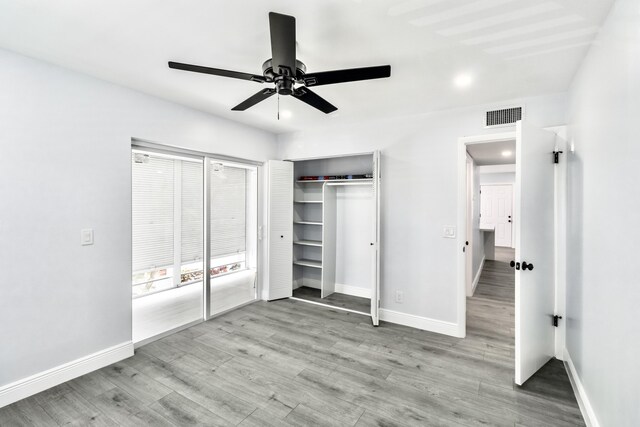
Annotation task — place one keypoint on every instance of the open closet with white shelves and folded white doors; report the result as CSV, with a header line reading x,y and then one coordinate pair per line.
x,y
323,226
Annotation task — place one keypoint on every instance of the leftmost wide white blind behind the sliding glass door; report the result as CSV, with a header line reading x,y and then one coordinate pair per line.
x,y
152,211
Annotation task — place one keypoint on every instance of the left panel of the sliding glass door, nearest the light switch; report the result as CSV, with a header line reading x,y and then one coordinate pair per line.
x,y
167,246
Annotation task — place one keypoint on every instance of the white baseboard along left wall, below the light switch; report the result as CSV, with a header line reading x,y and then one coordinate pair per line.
x,y
29,386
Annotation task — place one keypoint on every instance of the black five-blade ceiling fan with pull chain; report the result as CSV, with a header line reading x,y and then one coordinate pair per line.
x,y
287,73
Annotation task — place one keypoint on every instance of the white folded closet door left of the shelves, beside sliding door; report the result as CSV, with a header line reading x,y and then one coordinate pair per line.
x,y
279,229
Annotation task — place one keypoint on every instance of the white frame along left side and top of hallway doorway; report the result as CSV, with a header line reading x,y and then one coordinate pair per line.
x,y
462,219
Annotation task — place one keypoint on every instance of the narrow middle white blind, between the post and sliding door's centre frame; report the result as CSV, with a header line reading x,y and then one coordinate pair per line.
x,y
191,207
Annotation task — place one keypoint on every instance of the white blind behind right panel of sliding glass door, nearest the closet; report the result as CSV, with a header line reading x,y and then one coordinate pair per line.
x,y
227,196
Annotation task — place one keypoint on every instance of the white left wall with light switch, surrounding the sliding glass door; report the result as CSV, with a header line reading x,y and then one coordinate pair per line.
x,y
65,165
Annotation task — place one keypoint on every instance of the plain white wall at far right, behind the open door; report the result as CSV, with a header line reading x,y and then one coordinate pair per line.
x,y
603,285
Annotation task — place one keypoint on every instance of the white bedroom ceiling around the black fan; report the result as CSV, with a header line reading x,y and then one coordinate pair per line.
x,y
511,49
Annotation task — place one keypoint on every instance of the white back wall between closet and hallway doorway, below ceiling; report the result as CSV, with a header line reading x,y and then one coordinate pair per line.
x,y
419,194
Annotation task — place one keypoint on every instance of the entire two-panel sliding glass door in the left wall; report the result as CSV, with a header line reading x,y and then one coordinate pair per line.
x,y
173,198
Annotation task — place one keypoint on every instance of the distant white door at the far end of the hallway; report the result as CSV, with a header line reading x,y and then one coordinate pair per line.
x,y
496,202
